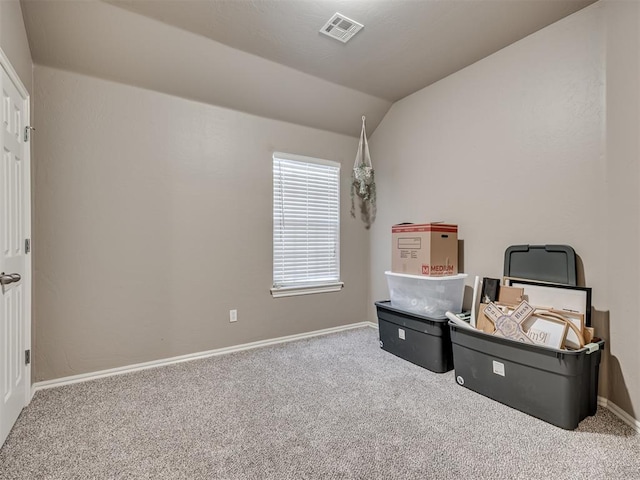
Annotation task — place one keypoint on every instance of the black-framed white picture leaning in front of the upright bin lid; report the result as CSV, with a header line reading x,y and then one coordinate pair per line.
x,y
554,296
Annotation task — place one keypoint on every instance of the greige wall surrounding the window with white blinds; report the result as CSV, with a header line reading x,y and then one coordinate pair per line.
x,y
153,219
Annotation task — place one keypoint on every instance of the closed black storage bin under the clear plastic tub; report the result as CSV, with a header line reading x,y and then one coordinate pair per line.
x,y
421,340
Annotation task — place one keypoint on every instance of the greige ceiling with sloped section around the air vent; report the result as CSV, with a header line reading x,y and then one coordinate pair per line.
x,y
267,57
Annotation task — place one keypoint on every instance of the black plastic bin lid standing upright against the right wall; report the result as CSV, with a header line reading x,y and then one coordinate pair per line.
x,y
547,263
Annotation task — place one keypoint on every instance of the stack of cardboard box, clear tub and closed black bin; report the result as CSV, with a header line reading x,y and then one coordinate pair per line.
x,y
423,285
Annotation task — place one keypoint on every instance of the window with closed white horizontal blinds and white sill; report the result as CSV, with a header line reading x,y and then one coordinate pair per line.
x,y
306,225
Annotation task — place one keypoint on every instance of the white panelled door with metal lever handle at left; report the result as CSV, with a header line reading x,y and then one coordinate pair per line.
x,y
14,262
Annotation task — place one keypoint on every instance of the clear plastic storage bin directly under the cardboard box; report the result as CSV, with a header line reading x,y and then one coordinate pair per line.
x,y
428,296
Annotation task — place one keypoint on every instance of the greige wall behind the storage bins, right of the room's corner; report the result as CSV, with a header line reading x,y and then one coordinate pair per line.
x,y
515,149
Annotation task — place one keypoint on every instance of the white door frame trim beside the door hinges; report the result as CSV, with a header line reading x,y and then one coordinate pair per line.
x,y
27,281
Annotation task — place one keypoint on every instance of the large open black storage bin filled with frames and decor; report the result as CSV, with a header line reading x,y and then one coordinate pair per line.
x,y
557,386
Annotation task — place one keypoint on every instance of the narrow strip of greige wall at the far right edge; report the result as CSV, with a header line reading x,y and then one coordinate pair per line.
x,y
621,182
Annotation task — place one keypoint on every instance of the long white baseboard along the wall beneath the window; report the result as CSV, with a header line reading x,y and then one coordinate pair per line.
x,y
85,377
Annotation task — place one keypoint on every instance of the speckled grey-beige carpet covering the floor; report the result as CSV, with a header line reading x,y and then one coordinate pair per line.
x,y
331,407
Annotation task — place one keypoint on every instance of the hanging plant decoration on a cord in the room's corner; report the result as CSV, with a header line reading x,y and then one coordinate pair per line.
x,y
363,183
